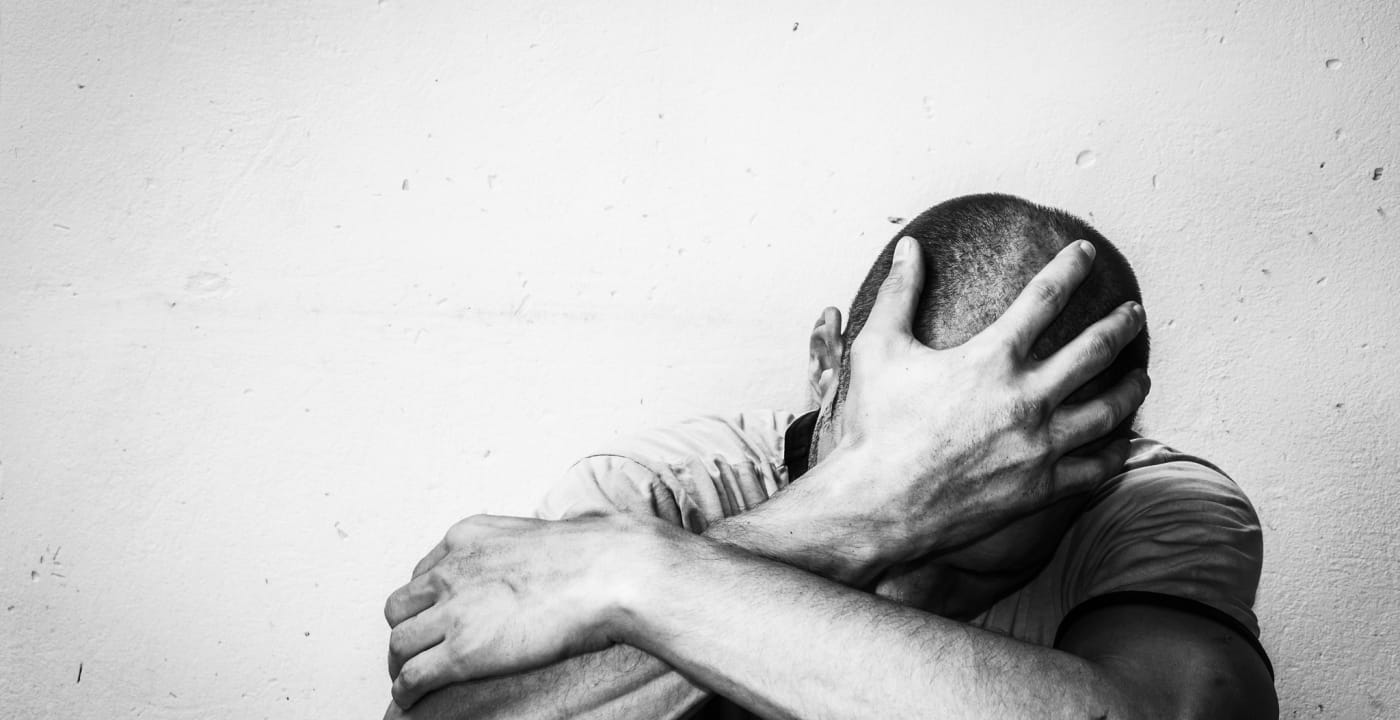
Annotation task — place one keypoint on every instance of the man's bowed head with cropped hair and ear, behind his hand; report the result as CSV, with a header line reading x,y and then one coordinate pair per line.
x,y
979,253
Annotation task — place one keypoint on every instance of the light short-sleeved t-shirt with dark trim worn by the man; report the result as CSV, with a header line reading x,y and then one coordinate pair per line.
x,y
1171,529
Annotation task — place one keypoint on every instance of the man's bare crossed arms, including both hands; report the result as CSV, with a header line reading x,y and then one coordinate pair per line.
x,y
589,617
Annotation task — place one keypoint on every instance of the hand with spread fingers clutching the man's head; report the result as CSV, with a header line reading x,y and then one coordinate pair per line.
x,y
996,445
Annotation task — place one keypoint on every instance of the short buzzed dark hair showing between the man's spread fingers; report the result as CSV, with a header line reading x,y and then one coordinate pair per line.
x,y
979,254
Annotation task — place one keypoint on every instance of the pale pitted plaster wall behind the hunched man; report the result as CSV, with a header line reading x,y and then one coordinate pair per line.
x,y
289,286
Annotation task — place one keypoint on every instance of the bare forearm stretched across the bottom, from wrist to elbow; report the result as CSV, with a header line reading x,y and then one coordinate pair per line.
x,y
786,644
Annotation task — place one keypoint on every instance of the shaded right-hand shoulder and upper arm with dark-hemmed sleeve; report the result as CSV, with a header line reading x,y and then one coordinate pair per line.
x,y
1167,562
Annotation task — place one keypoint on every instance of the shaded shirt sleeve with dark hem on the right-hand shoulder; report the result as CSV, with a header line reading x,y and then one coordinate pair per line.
x,y
1174,527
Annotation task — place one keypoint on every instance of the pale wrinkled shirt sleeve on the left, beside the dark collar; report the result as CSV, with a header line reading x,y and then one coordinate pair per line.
x,y
691,474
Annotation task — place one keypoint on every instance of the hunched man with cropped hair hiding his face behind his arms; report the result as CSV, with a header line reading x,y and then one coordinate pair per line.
x,y
976,484
